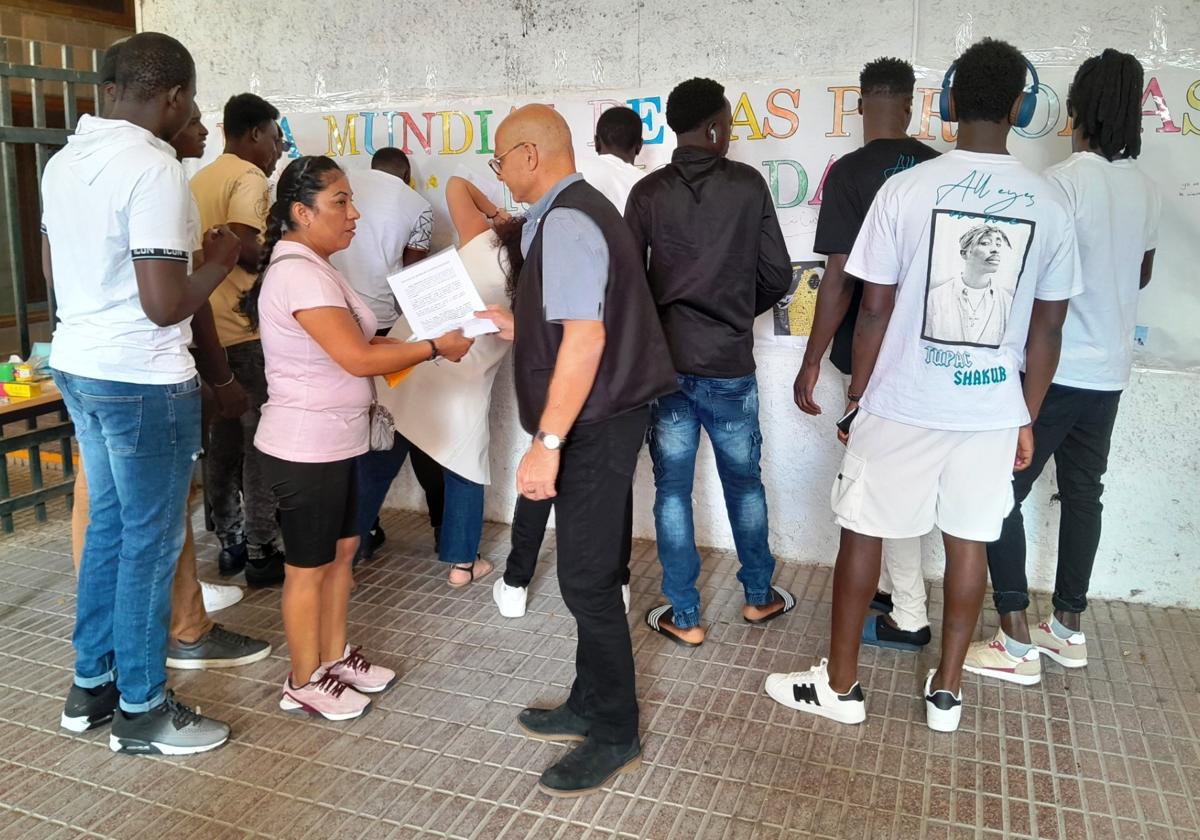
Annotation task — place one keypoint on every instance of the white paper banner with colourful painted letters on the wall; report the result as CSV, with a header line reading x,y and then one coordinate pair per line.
x,y
793,133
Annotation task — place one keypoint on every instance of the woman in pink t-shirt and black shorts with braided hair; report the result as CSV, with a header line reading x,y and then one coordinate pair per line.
x,y
321,351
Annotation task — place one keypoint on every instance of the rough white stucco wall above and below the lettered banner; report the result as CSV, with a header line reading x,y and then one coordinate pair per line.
x,y
362,53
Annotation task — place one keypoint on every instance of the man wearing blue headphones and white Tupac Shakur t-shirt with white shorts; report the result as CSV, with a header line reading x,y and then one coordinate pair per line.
x,y
941,418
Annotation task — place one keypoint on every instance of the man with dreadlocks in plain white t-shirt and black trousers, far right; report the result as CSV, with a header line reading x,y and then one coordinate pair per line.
x,y
1117,211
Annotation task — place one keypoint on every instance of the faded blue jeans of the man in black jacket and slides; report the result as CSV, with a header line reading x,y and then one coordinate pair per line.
x,y
729,411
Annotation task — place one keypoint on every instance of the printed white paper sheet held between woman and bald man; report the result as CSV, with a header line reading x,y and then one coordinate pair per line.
x,y
437,296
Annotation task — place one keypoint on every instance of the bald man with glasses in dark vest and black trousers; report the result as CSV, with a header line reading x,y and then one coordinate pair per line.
x,y
590,357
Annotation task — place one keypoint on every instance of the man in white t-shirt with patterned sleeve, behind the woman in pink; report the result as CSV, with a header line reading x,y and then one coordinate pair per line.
x,y
395,231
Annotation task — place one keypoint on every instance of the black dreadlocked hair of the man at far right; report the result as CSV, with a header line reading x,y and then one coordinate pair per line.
x,y
1106,104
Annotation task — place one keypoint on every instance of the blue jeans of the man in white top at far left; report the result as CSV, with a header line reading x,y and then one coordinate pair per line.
x,y
140,445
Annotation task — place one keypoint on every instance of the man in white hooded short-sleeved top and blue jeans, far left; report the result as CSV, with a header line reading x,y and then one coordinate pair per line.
x,y
116,227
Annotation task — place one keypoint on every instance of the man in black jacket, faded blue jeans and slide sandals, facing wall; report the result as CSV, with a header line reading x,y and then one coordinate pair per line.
x,y
716,261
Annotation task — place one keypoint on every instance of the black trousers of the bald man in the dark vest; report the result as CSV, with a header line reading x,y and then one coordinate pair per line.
x,y
595,481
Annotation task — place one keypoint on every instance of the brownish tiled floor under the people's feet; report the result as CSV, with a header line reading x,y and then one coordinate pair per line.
x,y
1108,753
